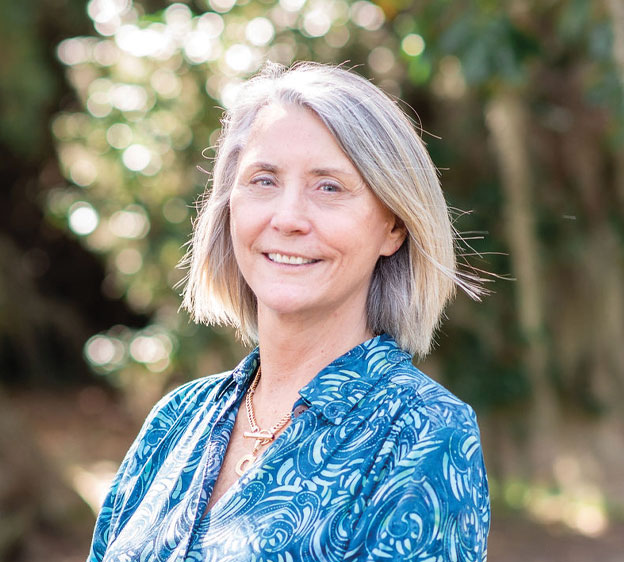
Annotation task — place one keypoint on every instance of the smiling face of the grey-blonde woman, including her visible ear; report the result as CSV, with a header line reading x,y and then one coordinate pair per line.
x,y
306,230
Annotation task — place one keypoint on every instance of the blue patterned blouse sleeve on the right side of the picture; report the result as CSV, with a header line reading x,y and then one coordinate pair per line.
x,y
433,504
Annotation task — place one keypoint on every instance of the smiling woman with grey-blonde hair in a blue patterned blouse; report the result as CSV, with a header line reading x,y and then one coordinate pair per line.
x,y
326,239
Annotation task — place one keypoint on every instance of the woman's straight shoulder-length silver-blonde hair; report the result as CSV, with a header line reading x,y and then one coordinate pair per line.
x,y
410,288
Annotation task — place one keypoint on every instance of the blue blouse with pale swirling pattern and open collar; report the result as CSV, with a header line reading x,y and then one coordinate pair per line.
x,y
380,463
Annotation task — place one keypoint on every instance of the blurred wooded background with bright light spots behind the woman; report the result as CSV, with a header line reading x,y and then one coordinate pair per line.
x,y
108,110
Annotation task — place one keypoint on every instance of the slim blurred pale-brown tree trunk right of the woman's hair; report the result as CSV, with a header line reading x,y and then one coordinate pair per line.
x,y
506,120
